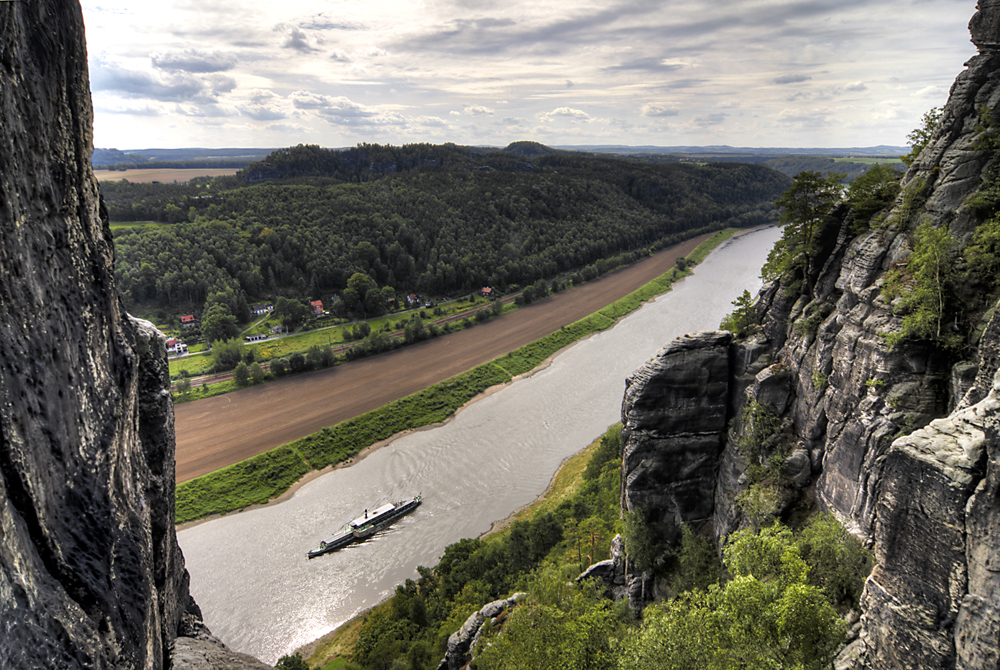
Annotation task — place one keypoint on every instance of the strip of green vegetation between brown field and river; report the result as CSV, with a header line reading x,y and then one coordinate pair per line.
x,y
268,476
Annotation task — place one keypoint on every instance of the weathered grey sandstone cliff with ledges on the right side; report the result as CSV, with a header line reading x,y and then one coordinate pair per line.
x,y
901,444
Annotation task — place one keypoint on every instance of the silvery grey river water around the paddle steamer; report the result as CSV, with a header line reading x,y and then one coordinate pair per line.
x,y
249,571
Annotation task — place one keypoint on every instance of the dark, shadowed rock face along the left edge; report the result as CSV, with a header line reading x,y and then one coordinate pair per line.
x,y
90,572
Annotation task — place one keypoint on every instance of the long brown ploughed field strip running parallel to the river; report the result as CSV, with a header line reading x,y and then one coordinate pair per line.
x,y
226,429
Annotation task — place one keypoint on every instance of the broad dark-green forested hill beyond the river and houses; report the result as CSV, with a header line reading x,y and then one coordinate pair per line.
x,y
431,219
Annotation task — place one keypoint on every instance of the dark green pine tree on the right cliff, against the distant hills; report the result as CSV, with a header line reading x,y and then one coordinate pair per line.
x,y
806,212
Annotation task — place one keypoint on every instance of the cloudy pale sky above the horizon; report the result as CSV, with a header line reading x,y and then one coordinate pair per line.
x,y
747,73
